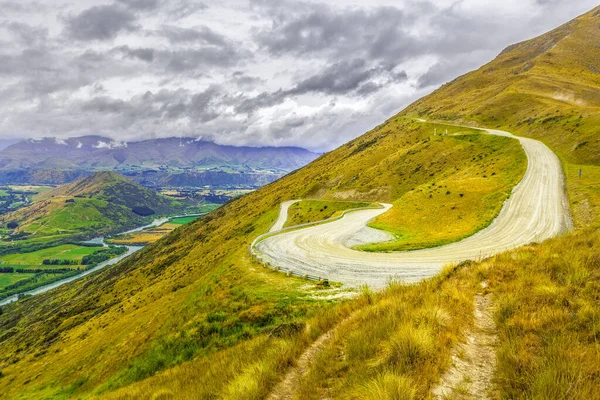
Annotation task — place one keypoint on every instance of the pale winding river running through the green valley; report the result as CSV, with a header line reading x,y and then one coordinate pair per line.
x,y
99,240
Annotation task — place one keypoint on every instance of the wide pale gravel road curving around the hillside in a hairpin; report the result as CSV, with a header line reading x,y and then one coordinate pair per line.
x,y
536,210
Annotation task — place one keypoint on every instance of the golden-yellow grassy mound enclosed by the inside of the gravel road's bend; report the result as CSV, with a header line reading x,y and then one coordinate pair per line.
x,y
456,203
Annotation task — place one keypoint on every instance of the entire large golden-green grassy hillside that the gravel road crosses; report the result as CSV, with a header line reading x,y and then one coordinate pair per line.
x,y
193,316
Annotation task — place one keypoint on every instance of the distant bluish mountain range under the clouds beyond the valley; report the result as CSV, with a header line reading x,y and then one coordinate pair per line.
x,y
186,161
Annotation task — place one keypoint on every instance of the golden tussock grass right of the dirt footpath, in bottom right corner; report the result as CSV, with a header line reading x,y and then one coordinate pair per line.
x,y
547,317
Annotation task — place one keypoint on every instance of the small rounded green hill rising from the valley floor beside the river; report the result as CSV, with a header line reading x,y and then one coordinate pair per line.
x,y
101,204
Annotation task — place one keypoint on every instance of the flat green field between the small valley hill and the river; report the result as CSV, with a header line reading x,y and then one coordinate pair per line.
x,y
35,259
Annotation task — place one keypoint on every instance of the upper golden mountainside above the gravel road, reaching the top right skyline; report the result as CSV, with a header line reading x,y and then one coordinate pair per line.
x,y
547,88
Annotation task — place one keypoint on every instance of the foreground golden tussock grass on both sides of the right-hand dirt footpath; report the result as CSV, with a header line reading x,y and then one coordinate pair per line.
x,y
547,317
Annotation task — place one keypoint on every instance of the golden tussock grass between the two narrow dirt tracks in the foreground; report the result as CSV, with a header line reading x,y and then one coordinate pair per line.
x,y
398,341
